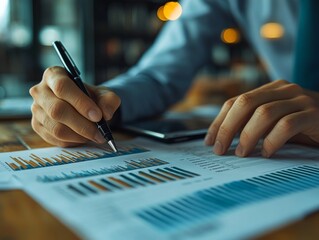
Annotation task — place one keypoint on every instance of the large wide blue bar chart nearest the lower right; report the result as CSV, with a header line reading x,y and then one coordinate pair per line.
x,y
217,200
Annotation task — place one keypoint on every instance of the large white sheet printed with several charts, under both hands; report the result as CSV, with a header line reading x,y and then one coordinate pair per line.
x,y
156,191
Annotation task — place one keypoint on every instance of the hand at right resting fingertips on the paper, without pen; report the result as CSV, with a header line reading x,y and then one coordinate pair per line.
x,y
276,112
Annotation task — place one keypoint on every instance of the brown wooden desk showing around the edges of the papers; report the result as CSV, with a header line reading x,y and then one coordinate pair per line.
x,y
22,218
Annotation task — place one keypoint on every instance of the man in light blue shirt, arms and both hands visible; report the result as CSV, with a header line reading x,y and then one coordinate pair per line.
x,y
276,112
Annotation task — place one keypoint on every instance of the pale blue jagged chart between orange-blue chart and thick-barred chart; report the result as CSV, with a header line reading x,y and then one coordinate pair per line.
x,y
128,165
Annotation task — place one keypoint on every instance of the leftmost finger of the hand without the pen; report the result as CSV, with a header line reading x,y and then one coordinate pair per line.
x,y
213,128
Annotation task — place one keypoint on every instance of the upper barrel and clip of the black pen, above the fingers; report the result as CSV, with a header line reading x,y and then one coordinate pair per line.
x,y
66,59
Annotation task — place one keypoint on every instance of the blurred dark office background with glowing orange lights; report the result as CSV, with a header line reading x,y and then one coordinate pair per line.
x,y
105,38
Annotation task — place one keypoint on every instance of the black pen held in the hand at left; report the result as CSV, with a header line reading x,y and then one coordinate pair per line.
x,y
74,73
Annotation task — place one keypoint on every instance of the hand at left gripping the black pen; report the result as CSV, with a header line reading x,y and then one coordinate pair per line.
x,y
65,116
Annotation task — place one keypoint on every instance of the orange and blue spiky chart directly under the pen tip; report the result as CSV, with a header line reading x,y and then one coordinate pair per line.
x,y
69,156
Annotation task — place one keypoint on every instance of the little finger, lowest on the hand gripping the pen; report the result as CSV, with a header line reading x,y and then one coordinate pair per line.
x,y
42,131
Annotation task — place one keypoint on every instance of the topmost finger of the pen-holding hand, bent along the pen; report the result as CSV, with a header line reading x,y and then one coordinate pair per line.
x,y
64,88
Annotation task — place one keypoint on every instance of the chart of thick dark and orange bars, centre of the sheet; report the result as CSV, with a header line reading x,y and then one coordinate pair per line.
x,y
127,181
